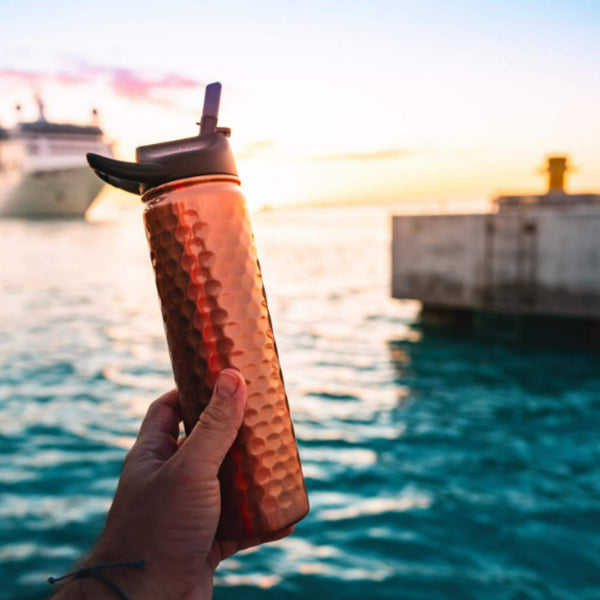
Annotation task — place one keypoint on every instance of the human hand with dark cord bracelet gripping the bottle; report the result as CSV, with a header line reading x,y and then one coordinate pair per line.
x,y
167,505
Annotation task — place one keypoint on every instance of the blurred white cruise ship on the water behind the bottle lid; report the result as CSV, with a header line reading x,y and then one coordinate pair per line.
x,y
43,170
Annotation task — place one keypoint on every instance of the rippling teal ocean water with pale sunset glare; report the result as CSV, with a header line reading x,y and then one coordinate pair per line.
x,y
438,466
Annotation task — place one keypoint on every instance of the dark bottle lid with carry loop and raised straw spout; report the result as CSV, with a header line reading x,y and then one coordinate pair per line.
x,y
208,153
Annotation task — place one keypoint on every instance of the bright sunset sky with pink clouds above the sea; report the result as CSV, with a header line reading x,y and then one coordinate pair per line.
x,y
328,101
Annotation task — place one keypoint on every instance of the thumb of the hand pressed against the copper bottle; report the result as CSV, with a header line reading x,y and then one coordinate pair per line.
x,y
218,424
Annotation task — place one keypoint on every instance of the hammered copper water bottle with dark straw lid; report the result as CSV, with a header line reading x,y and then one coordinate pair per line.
x,y
215,314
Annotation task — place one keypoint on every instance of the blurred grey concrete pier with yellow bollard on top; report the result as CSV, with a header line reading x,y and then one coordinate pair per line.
x,y
536,255
